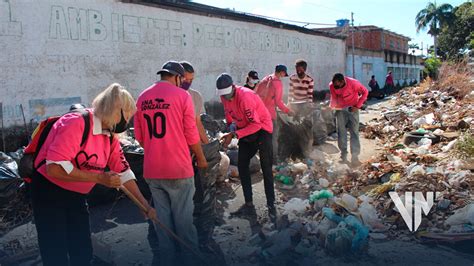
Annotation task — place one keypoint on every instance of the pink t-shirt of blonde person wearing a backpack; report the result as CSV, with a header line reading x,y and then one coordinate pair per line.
x,y
63,144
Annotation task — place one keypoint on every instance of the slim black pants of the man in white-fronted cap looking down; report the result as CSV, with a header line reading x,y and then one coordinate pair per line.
x,y
248,147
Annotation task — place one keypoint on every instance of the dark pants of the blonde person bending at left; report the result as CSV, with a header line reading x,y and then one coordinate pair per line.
x,y
62,222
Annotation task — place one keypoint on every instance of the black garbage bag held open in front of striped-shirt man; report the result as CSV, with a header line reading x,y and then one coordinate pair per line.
x,y
296,133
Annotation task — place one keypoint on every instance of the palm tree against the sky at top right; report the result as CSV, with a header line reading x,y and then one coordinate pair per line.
x,y
433,17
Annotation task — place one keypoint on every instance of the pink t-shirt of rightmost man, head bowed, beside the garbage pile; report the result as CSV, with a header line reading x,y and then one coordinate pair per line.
x,y
353,94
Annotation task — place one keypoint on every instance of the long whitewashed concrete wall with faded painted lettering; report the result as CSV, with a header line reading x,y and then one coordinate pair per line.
x,y
58,52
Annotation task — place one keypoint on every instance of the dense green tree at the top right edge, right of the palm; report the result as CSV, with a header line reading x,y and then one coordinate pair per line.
x,y
458,35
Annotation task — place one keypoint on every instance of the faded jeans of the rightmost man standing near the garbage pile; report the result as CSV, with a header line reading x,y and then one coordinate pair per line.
x,y
346,120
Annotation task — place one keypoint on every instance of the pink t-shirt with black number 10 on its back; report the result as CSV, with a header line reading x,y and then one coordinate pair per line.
x,y
166,125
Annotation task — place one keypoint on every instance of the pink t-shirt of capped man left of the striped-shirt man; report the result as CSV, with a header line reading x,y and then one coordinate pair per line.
x,y
270,89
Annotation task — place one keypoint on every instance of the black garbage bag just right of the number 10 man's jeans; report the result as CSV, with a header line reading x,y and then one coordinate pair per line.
x,y
205,196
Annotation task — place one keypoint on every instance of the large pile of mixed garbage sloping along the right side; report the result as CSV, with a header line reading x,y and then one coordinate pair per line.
x,y
428,147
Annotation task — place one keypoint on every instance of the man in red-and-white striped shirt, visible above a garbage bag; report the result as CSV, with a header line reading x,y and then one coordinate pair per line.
x,y
301,84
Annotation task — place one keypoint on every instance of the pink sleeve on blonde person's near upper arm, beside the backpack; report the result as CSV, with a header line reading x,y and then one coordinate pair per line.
x,y
66,144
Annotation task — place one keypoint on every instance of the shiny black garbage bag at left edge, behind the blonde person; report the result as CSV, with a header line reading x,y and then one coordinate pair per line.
x,y
10,181
